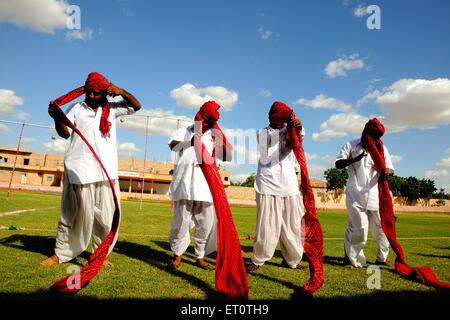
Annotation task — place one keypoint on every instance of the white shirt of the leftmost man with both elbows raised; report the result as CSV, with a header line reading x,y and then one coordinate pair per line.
x,y
80,164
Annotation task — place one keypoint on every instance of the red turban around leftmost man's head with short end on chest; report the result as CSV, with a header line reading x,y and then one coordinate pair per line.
x,y
94,81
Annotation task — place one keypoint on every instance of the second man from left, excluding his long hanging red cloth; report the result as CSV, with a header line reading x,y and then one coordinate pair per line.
x,y
193,202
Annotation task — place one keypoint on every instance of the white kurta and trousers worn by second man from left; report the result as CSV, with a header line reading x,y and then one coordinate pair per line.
x,y
193,203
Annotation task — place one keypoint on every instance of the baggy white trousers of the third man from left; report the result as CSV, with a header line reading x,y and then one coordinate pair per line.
x,y
278,219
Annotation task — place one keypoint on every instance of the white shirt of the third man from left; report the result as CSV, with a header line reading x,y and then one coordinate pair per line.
x,y
276,165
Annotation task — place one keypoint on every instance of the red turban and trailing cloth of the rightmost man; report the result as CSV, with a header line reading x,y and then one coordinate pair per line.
x,y
374,128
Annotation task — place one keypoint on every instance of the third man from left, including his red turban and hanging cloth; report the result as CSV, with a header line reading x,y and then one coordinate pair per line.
x,y
280,215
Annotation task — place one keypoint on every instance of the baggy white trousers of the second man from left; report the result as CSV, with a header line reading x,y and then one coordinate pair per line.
x,y
186,215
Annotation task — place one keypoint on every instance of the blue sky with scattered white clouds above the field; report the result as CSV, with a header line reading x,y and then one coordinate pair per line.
x,y
319,57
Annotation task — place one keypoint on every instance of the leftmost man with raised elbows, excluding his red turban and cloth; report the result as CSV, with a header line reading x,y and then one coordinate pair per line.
x,y
87,205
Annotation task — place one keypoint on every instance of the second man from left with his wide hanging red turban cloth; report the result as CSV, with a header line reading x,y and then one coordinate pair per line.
x,y
200,201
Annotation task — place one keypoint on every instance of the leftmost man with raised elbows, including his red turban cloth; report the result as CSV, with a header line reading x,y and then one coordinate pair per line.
x,y
91,193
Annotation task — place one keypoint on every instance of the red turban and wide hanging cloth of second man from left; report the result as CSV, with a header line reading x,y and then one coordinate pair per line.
x,y
230,273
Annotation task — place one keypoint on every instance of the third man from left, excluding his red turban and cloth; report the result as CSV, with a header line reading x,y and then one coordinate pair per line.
x,y
279,207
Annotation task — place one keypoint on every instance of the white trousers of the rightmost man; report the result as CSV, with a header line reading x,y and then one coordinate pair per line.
x,y
357,231
